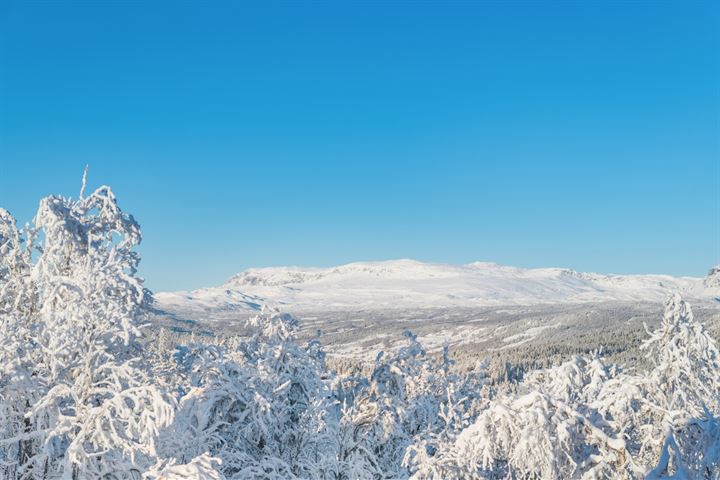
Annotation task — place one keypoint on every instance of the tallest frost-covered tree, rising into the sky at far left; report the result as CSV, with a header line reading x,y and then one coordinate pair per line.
x,y
89,409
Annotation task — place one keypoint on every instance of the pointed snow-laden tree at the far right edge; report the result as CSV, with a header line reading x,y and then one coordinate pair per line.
x,y
683,395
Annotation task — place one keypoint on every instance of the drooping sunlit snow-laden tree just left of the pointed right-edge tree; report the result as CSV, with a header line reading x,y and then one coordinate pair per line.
x,y
548,430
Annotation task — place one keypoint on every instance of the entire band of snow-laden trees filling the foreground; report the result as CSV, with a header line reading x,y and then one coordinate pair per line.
x,y
83,395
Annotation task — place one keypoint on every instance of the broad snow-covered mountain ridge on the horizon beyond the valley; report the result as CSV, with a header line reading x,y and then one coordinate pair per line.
x,y
412,284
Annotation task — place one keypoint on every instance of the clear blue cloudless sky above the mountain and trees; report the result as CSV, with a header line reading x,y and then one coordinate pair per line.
x,y
525,133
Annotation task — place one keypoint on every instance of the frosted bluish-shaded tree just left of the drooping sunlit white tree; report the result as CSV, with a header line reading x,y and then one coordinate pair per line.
x,y
409,405
